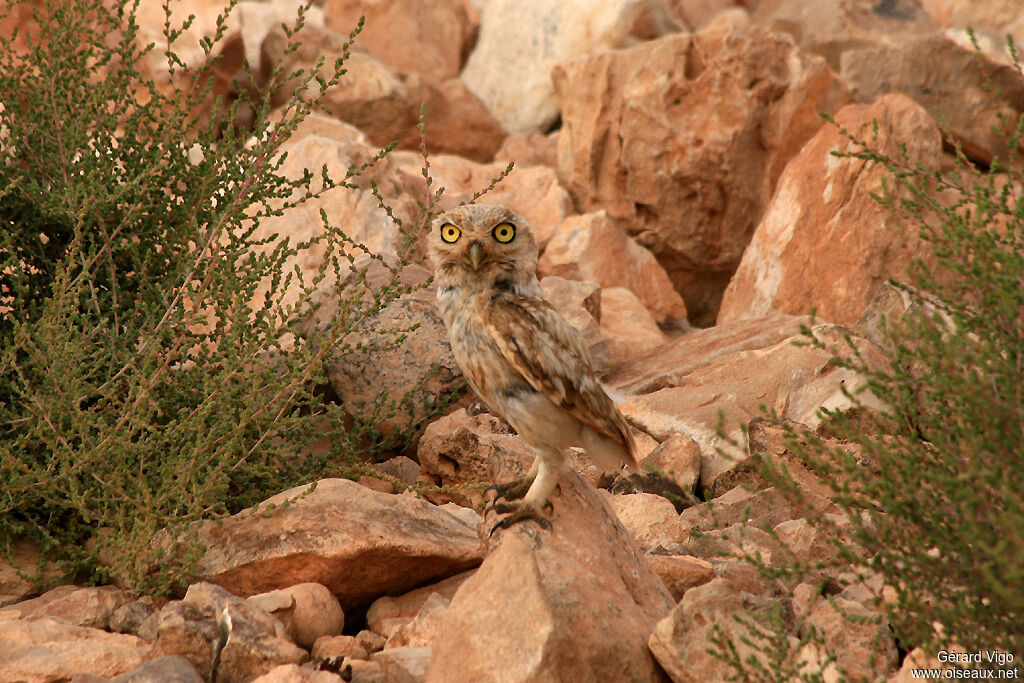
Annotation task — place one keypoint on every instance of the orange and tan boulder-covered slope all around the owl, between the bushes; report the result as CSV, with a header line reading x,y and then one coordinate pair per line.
x,y
672,162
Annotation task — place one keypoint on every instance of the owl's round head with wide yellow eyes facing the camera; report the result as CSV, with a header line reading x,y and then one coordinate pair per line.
x,y
483,243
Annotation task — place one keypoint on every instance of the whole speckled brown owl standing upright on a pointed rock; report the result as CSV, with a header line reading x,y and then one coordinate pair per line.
x,y
520,356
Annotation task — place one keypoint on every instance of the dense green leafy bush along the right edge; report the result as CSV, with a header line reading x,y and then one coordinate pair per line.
x,y
930,485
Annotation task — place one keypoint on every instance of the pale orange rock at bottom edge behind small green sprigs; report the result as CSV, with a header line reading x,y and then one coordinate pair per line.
x,y
681,642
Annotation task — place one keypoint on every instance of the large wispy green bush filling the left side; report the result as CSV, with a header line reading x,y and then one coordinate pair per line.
x,y
143,386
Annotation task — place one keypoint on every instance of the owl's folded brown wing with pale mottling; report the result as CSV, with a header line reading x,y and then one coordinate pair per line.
x,y
550,355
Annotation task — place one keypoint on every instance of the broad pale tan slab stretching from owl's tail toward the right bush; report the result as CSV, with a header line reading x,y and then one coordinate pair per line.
x,y
794,381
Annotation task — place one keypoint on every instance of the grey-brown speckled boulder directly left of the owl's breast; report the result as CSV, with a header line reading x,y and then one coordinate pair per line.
x,y
412,377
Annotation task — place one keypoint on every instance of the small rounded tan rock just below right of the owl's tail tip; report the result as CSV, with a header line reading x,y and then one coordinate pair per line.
x,y
672,471
